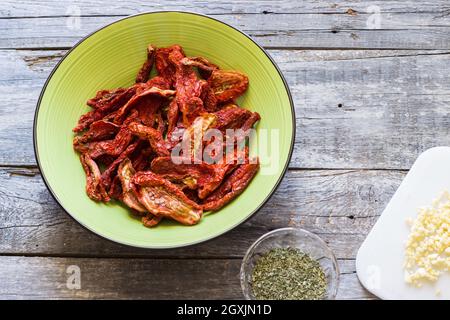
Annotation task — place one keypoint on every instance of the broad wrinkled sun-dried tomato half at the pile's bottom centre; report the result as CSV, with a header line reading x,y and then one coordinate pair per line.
x,y
162,198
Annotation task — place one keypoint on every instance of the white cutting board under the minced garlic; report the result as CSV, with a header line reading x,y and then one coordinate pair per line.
x,y
380,259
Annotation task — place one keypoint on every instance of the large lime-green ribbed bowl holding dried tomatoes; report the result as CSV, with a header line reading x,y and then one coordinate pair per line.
x,y
110,58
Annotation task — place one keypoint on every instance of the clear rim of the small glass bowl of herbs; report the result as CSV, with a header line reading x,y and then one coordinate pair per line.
x,y
242,272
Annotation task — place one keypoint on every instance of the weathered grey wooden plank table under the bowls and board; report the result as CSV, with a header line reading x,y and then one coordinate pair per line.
x,y
372,90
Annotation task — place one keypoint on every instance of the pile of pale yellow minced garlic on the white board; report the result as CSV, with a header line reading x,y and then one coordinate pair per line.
x,y
428,247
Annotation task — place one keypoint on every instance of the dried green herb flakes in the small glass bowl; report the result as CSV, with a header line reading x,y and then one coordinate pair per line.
x,y
288,274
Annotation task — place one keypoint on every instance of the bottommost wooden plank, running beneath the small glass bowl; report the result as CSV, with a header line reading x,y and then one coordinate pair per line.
x,y
47,278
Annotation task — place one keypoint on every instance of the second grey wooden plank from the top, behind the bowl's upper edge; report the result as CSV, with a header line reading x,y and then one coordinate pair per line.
x,y
396,30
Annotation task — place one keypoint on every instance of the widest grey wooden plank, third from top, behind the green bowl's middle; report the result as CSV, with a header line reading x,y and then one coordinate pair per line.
x,y
369,95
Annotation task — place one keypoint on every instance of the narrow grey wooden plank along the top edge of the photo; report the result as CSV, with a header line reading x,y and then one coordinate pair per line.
x,y
40,8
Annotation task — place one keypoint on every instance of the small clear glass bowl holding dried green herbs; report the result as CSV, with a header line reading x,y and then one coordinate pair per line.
x,y
297,238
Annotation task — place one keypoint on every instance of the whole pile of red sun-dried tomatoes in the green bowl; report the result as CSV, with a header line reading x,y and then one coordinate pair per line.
x,y
127,141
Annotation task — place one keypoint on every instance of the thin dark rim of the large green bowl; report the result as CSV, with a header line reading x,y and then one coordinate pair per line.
x,y
54,70
